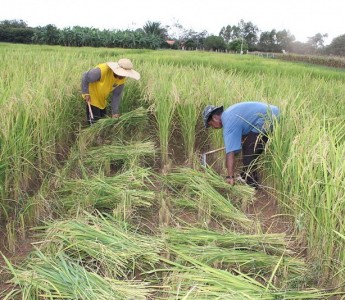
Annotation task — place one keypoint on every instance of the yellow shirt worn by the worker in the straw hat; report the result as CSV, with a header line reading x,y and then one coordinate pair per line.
x,y
100,90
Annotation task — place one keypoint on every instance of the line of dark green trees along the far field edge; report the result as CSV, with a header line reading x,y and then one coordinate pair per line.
x,y
240,38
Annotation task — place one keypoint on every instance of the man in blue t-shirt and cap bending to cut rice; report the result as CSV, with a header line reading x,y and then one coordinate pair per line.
x,y
244,126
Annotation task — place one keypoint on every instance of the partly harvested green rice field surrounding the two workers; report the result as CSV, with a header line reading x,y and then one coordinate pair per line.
x,y
124,209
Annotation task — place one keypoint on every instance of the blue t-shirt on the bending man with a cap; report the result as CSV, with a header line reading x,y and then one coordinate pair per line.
x,y
242,118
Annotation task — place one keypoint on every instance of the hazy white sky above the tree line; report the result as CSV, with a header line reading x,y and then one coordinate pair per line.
x,y
303,18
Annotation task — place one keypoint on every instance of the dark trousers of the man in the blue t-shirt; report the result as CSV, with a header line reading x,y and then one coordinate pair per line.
x,y
252,147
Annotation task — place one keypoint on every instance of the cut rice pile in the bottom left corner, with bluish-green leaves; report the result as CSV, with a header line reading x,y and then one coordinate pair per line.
x,y
43,277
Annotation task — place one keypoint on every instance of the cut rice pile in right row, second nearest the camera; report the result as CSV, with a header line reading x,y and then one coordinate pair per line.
x,y
256,254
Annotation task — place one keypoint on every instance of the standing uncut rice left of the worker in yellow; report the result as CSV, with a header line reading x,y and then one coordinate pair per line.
x,y
41,110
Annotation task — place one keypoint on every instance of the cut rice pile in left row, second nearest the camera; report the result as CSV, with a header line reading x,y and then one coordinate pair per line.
x,y
102,243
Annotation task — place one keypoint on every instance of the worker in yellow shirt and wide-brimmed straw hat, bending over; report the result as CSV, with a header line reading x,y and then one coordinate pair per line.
x,y
98,83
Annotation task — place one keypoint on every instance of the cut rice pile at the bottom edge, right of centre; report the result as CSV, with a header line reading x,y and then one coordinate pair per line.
x,y
199,281
